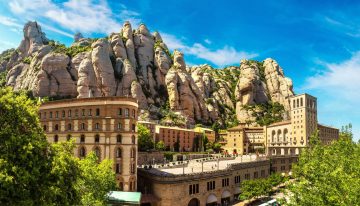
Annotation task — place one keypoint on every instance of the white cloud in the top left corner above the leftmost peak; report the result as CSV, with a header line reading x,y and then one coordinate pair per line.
x,y
76,15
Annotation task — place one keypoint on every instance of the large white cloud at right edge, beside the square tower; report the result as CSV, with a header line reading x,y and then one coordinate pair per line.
x,y
338,90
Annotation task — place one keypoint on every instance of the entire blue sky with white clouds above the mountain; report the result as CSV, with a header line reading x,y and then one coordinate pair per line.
x,y
317,43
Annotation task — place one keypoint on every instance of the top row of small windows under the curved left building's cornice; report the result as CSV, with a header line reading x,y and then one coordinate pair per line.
x,y
43,115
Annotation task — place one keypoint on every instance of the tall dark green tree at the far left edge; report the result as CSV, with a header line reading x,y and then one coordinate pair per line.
x,y
24,161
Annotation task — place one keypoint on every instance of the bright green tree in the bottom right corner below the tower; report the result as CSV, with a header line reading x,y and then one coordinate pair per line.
x,y
327,175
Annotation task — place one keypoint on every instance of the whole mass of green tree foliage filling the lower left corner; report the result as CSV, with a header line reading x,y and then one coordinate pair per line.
x,y
33,172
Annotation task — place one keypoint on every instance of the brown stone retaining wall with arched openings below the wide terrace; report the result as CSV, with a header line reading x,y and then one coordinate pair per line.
x,y
177,193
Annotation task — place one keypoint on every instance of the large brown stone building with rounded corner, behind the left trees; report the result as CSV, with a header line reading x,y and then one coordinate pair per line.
x,y
97,126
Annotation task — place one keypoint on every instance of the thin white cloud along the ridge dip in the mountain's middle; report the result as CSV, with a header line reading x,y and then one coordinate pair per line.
x,y
220,57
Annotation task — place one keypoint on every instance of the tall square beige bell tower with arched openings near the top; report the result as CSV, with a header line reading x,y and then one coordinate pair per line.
x,y
303,119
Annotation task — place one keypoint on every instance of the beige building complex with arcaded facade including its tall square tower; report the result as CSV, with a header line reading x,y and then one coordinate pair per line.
x,y
282,141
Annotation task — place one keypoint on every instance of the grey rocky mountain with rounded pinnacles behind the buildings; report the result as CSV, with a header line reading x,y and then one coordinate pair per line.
x,y
138,63
